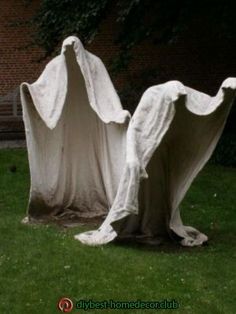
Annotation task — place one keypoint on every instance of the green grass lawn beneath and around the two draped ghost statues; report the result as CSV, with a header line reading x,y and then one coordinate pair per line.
x,y
40,263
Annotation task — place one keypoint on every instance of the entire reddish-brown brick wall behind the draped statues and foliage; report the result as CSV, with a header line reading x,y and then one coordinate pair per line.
x,y
196,61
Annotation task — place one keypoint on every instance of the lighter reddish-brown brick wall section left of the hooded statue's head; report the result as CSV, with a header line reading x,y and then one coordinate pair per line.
x,y
15,62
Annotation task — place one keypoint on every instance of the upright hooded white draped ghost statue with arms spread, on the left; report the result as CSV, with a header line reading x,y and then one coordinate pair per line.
x,y
76,147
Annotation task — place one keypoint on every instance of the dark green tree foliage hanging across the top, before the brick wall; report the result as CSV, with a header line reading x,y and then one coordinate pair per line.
x,y
157,20
